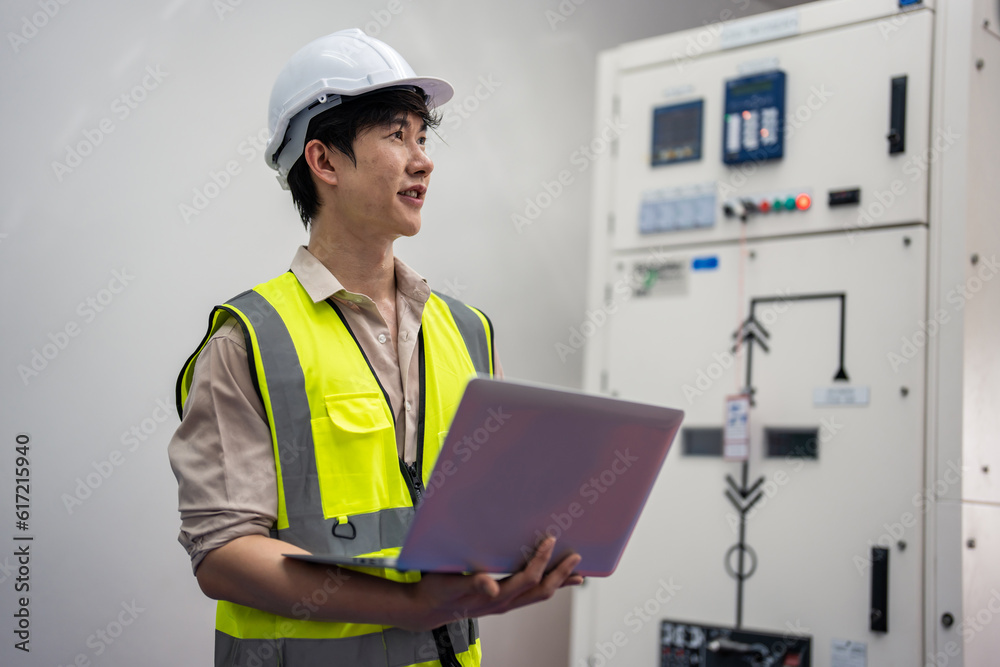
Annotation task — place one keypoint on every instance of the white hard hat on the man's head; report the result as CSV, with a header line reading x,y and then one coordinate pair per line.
x,y
348,62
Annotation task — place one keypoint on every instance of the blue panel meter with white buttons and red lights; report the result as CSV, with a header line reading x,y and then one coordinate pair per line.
x,y
754,118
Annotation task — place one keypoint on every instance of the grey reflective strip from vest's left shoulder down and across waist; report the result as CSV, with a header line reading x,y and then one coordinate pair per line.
x,y
299,477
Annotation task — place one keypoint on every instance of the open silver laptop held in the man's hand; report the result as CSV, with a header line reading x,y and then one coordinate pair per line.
x,y
521,461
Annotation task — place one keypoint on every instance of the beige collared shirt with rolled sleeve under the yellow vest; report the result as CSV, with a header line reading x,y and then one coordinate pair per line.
x,y
221,453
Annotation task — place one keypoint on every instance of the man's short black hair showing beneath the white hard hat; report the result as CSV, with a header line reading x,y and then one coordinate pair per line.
x,y
338,127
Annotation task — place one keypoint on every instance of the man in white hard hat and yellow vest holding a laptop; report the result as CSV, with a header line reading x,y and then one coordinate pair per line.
x,y
315,406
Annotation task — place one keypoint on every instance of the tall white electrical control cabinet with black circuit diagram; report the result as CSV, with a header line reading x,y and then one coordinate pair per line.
x,y
762,231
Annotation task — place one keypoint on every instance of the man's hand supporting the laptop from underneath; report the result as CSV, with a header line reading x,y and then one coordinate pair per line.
x,y
443,598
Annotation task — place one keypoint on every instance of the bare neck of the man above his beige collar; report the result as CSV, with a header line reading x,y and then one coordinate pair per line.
x,y
362,265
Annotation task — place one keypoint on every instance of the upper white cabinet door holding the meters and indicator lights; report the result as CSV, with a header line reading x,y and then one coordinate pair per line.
x,y
754,128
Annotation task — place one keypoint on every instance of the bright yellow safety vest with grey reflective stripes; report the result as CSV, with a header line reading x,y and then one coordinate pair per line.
x,y
342,488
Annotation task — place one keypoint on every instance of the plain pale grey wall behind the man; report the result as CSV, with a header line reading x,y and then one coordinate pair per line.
x,y
108,227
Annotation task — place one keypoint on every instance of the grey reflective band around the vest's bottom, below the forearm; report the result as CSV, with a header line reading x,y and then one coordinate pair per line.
x,y
398,648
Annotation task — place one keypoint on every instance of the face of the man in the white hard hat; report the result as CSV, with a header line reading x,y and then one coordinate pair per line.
x,y
381,197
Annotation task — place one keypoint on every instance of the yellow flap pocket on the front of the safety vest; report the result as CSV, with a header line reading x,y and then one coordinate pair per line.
x,y
354,443
